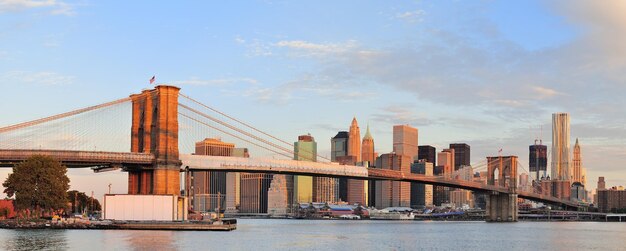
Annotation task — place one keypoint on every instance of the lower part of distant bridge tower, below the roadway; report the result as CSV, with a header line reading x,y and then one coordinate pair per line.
x,y
502,207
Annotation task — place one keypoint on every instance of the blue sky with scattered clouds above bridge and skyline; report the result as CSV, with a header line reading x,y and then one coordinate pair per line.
x,y
488,73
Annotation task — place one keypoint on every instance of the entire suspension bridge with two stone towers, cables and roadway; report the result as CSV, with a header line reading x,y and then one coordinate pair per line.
x,y
164,123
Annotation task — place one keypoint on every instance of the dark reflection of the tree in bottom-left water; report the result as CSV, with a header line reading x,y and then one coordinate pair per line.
x,y
35,240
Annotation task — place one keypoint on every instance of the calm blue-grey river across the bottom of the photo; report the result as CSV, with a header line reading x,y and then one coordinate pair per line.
x,y
266,234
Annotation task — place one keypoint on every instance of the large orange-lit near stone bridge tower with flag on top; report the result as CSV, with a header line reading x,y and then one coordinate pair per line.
x,y
155,130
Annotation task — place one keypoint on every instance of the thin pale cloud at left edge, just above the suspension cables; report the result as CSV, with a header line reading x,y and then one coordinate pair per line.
x,y
39,78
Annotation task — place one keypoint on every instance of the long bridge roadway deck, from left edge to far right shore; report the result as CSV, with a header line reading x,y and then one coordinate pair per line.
x,y
111,160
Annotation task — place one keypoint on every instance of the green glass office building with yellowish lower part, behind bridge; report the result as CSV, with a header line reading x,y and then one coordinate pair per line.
x,y
305,149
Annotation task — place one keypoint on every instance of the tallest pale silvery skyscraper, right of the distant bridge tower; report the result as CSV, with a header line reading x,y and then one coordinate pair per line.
x,y
560,146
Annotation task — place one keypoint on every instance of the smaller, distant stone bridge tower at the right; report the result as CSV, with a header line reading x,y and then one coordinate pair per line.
x,y
502,172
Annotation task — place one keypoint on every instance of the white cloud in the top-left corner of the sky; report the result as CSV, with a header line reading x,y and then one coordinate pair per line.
x,y
55,7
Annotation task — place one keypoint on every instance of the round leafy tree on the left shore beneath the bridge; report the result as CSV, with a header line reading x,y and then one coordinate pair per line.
x,y
39,183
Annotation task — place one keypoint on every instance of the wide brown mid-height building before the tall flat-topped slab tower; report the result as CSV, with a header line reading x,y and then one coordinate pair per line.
x,y
393,193
